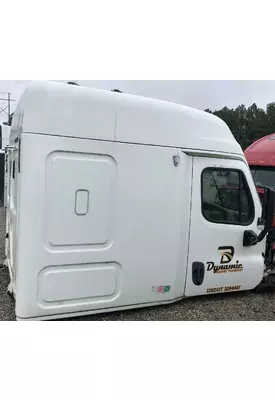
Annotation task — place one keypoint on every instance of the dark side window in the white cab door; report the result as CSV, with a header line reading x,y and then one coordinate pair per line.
x,y
226,197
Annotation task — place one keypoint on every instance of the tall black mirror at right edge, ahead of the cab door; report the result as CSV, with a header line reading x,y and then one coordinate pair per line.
x,y
268,210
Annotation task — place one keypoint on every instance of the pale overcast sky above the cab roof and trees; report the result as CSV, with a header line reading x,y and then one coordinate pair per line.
x,y
198,94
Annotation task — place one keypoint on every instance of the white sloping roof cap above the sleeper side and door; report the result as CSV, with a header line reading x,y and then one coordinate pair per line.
x,y
52,108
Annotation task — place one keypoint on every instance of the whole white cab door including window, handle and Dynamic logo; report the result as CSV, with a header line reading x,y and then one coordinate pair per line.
x,y
224,204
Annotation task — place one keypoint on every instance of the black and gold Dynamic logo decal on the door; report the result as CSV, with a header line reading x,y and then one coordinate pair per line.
x,y
227,254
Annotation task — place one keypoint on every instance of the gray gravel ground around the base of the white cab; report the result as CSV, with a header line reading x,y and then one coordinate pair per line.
x,y
246,306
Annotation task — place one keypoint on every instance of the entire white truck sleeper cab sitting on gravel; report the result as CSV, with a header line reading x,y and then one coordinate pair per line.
x,y
118,202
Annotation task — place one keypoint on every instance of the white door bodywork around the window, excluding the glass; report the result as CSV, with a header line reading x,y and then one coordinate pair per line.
x,y
218,247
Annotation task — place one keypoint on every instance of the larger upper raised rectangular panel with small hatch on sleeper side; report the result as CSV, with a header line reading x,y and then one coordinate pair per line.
x,y
79,189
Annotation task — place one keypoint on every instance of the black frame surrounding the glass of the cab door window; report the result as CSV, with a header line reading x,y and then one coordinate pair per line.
x,y
246,187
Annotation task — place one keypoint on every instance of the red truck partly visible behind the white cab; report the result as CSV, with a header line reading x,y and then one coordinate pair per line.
x,y
261,160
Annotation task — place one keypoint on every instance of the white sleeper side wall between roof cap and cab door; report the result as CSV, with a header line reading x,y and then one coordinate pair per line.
x,y
130,247
